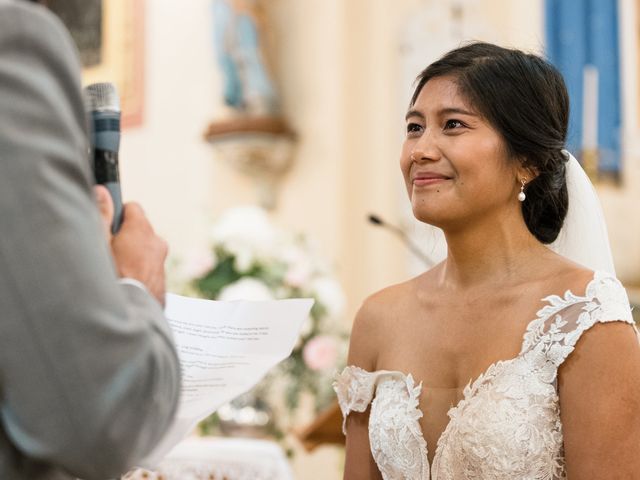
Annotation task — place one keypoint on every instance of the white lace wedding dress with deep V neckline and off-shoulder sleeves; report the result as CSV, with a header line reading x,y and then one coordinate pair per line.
x,y
507,425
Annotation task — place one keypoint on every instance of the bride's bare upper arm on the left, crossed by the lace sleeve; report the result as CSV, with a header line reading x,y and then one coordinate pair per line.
x,y
359,464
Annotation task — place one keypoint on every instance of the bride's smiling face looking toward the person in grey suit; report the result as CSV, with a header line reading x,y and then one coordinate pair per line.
x,y
455,164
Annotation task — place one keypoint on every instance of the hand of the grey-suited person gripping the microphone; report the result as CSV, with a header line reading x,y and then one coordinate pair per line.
x,y
137,251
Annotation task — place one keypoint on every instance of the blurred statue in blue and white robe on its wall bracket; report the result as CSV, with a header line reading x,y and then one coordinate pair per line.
x,y
252,135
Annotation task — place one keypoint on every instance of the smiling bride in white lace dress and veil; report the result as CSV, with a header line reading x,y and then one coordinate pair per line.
x,y
507,360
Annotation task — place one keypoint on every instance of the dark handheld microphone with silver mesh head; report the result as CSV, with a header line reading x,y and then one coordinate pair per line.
x,y
103,107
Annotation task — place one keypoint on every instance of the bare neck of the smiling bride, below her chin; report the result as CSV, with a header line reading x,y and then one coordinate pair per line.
x,y
496,253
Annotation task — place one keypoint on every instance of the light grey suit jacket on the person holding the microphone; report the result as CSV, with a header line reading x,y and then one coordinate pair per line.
x,y
89,377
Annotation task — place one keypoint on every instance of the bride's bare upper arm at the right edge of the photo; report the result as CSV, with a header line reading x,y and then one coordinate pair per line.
x,y
599,386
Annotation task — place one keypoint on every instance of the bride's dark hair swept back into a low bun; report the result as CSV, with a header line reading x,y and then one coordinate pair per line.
x,y
525,99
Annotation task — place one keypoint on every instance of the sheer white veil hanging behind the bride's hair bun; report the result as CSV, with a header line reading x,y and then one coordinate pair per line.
x,y
583,237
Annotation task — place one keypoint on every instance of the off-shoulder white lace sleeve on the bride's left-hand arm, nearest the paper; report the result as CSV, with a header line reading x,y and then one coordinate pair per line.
x,y
355,389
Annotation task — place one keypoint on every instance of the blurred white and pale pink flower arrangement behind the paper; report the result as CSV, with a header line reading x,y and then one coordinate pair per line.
x,y
251,259
